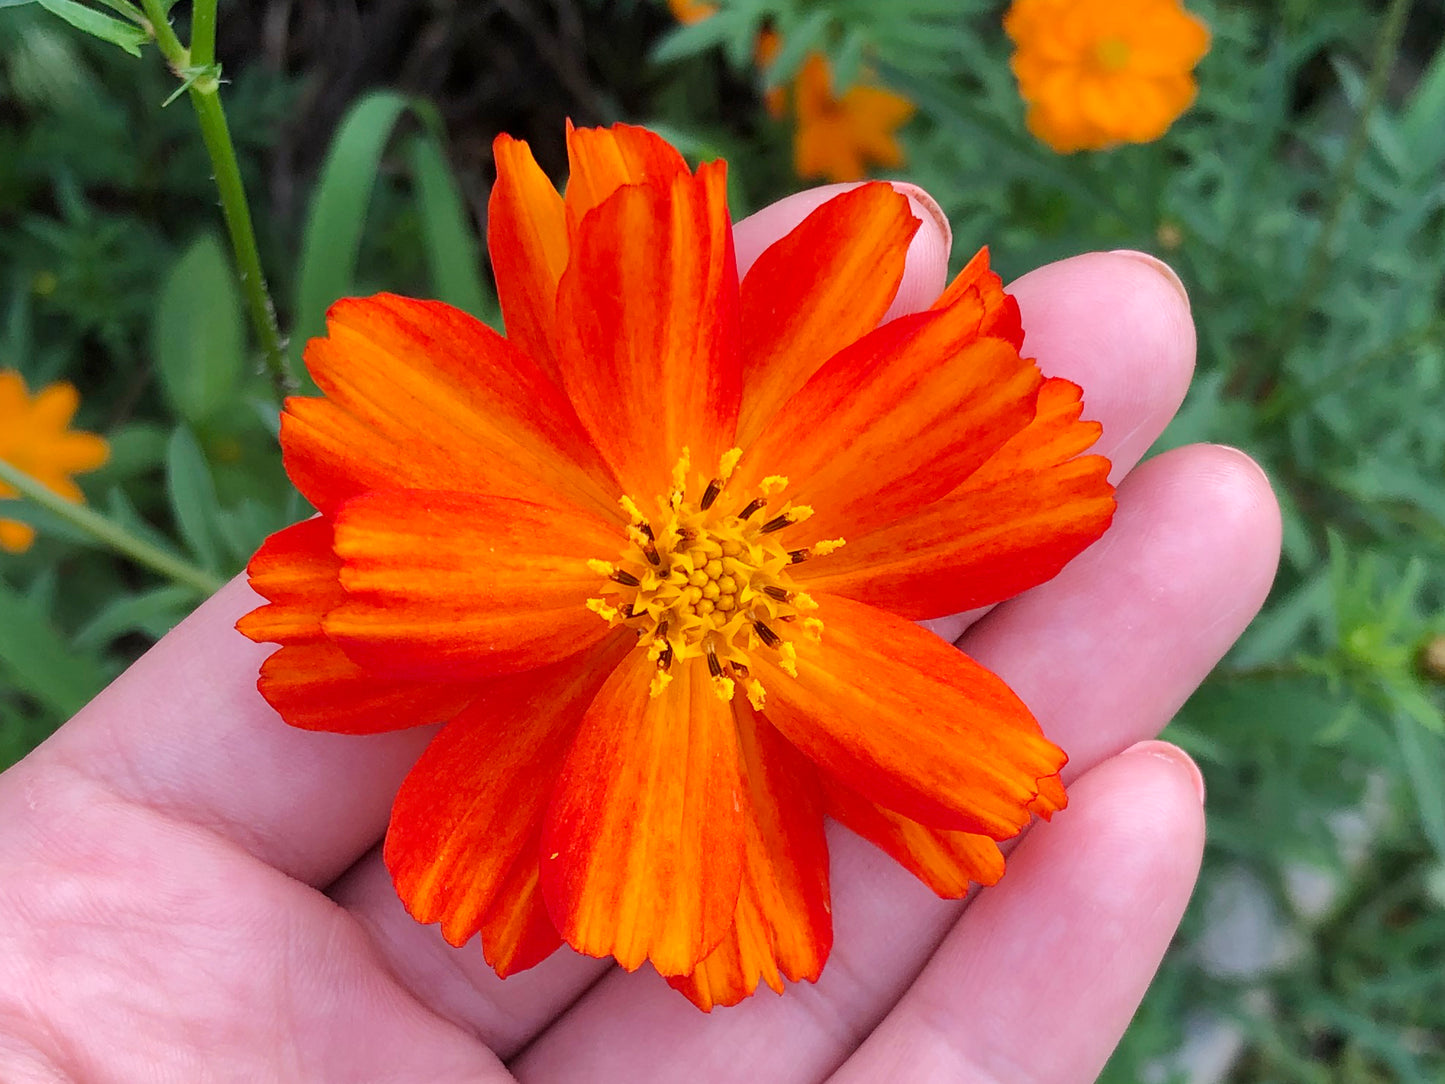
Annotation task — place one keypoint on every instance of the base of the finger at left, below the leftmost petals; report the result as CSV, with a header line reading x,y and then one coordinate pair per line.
x,y
184,732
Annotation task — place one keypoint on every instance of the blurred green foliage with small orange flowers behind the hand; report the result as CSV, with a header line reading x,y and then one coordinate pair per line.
x,y
1284,155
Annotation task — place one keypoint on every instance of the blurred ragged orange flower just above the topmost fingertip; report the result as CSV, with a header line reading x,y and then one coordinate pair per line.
x,y
839,138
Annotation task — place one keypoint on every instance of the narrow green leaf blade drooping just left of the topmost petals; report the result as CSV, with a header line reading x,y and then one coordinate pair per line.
x,y
449,235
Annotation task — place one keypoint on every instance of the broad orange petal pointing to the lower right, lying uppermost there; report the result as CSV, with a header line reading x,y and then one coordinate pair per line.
x,y
910,722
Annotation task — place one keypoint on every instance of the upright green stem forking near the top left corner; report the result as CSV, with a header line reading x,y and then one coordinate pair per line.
x,y
206,98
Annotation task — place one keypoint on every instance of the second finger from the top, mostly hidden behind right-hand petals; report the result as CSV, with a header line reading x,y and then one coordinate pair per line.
x,y
1116,324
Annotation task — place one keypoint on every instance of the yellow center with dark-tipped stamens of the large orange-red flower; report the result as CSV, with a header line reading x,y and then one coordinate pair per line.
x,y
709,579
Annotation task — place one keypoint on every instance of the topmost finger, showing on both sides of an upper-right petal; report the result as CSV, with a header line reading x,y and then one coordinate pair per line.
x,y
924,274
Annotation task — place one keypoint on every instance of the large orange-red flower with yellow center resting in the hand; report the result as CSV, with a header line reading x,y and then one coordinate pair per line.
x,y
655,560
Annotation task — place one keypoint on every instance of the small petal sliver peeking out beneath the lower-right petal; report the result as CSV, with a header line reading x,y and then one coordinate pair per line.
x,y
943,859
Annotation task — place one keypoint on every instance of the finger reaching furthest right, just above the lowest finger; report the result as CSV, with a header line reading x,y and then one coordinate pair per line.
x,y
1103,654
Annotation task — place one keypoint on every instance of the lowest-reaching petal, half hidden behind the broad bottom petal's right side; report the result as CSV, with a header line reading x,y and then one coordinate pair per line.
x,y
784,926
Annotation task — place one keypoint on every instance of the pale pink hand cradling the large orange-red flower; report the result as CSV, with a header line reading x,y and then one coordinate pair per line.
x,y
194,891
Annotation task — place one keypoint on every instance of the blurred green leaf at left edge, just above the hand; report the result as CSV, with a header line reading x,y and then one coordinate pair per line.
x,y
37,660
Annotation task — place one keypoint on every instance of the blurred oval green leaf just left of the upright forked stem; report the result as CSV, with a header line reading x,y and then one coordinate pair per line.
x,y
199,333
